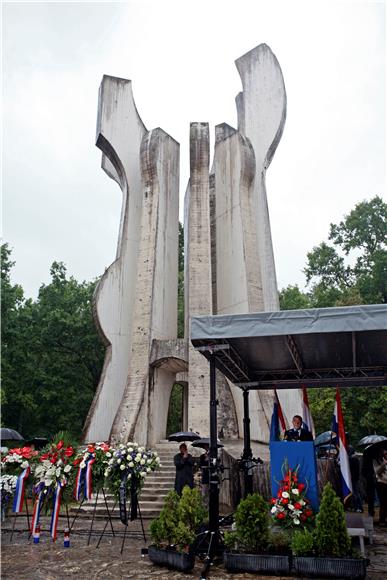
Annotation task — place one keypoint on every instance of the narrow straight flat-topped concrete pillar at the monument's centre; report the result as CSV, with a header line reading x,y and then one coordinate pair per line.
x,y
199,271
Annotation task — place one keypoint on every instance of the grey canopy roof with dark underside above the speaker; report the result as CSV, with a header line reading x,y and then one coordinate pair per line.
x,y
344,346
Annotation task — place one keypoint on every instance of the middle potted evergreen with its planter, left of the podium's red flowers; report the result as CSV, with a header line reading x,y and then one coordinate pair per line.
x,y
248,546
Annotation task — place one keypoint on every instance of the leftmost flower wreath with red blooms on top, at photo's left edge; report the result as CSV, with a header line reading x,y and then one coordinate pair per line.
x,y
16,467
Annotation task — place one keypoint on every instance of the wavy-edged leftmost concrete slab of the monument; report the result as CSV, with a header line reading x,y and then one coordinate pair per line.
x,y
119,135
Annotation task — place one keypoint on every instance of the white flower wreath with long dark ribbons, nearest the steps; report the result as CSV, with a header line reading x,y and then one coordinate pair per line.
x,y
126,470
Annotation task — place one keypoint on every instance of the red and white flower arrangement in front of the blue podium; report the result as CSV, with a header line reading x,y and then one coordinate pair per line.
x,y
291,509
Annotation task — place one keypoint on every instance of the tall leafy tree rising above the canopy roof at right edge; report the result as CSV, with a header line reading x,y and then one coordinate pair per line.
x,y
361,236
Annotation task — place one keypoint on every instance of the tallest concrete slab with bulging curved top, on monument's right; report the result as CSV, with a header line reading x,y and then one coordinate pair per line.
x,y
261,111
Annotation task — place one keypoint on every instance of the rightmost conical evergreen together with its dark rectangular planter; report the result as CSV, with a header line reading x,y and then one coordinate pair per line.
x,y
327,550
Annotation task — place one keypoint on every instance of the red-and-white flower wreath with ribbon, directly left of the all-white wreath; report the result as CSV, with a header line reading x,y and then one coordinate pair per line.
x,y
91,463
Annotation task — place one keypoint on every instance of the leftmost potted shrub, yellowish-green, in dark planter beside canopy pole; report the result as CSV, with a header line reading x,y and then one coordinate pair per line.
x,y
174,531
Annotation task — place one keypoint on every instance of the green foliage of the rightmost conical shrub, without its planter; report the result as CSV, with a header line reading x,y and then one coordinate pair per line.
x,y
331,536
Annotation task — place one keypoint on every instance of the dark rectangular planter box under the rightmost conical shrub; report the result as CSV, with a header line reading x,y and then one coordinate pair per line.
x,y
354,568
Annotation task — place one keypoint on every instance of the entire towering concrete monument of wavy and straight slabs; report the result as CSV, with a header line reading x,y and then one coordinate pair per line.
x,y
229,260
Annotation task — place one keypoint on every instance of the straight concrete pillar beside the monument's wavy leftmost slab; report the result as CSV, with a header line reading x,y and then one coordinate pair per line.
x,y
155,301
